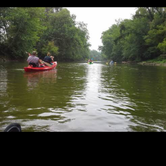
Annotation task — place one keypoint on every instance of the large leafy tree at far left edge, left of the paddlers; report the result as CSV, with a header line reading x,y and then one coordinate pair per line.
x,y
22,29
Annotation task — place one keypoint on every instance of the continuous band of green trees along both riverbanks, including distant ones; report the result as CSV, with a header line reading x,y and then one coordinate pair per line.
x,y
140,40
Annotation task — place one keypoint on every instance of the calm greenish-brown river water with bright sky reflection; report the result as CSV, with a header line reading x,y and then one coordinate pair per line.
x,y
84,97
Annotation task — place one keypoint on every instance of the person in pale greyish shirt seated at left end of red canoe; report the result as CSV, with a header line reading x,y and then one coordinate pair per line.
x,y
34,60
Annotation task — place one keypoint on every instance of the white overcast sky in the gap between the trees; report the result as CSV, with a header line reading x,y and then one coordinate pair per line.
x,y
99,19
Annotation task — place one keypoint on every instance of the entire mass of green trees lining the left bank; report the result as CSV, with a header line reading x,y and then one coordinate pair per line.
x,y
53,29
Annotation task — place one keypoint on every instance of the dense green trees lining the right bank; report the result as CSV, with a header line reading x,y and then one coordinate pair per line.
x,y
141,38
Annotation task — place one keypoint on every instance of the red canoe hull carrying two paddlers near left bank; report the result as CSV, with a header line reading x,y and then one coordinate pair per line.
x,y
30,68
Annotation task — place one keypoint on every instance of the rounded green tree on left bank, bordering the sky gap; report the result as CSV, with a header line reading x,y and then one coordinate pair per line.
x,y
71,41
